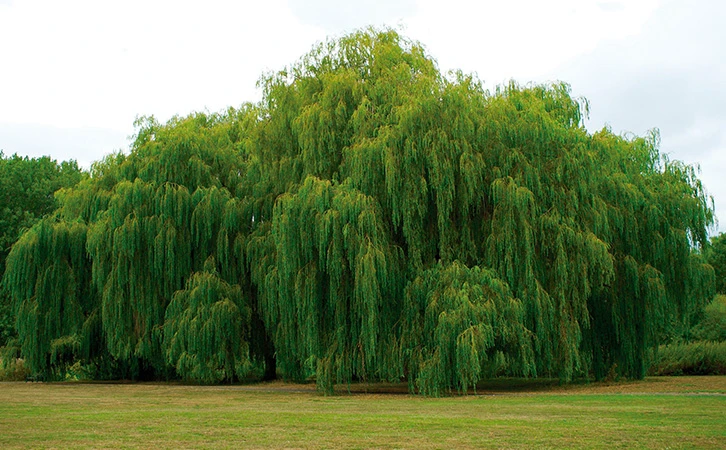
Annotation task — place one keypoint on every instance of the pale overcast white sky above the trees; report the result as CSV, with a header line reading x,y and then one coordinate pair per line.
x,y
74,74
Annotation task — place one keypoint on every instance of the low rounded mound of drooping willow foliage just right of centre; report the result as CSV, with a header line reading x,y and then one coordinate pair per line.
x,y
459,324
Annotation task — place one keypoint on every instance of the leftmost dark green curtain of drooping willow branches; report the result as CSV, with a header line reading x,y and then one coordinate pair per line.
x,y
48,276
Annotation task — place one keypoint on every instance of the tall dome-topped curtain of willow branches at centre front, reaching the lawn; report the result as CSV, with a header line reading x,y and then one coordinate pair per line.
x,y
336,282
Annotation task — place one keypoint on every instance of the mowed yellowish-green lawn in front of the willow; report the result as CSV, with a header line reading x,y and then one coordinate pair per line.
x,y
680,412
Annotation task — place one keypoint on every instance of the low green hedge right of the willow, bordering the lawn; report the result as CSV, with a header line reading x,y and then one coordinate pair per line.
x,y
696,358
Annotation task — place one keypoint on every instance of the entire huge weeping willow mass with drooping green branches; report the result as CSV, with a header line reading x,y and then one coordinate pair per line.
x,y
372,219
